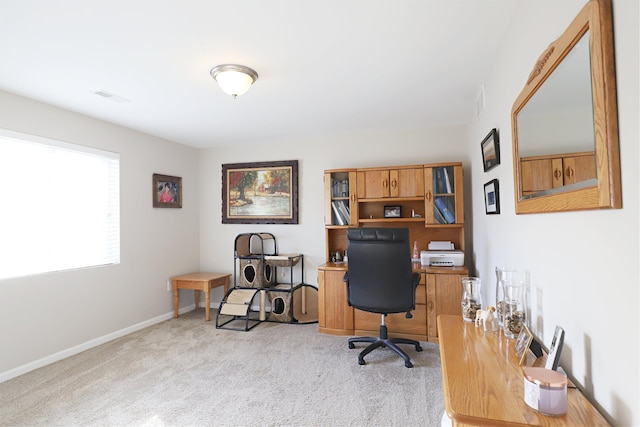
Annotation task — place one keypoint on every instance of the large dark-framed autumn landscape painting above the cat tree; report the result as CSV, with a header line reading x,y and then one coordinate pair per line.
x,y
260,193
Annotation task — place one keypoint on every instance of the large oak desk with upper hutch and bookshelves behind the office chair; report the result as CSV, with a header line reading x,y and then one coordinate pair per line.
x,y
427,199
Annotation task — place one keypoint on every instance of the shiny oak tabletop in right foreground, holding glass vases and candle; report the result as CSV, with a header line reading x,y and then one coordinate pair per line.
x,y
483,383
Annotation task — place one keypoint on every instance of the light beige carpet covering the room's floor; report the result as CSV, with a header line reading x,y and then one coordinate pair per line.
x,y
185,372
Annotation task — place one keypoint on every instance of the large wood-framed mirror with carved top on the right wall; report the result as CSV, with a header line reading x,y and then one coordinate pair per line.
x,y
565,121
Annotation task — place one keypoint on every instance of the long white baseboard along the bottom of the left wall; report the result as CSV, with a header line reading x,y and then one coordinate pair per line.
x,y
20,370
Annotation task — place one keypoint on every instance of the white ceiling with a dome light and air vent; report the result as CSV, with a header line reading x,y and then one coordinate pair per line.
x,y
325,66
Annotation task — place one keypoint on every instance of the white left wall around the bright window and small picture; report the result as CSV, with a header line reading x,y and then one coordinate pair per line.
x,y
49,316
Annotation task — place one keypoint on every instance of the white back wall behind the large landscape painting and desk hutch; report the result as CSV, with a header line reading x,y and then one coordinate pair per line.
x,y
314,155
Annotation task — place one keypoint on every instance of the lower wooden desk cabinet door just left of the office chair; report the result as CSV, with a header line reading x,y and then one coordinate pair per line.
x,y
335,316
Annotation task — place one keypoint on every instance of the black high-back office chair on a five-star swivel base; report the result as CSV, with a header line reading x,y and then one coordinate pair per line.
x,y
380,280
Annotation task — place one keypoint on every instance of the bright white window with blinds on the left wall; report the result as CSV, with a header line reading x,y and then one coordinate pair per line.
x,y
59,206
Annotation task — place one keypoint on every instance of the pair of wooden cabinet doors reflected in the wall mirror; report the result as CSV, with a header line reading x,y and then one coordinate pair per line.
x,y
541,173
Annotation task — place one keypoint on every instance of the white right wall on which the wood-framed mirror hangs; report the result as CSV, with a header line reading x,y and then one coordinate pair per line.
x,y
583,266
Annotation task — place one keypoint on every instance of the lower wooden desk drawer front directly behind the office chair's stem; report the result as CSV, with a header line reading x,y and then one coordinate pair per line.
x,y
396,323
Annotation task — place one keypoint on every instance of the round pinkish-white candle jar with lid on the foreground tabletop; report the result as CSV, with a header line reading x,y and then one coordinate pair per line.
x,y
545,390
